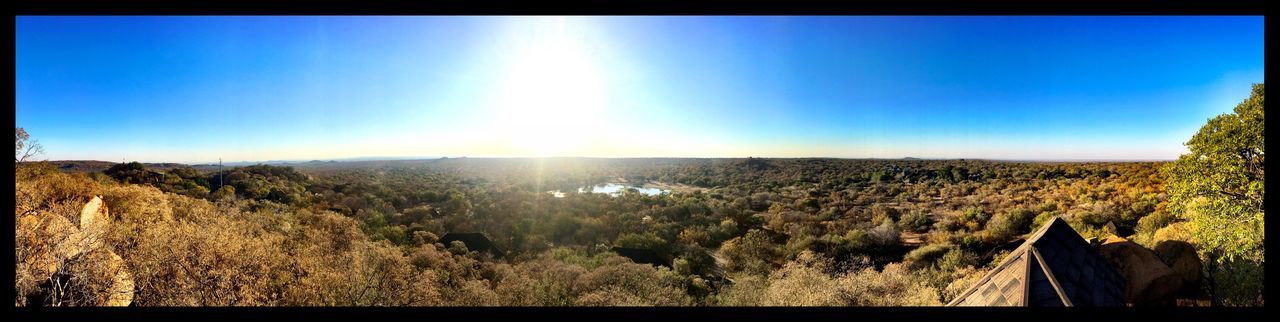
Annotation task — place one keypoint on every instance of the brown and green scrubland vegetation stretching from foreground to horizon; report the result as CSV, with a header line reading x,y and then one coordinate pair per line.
x,y
751,232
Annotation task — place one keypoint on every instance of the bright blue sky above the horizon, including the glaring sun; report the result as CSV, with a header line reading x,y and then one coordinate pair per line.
x,y
252,89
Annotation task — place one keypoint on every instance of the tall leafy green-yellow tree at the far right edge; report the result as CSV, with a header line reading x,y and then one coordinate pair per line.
x,y
1219,190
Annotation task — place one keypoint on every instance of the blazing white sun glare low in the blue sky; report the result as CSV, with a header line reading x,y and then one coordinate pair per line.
x,y
552,96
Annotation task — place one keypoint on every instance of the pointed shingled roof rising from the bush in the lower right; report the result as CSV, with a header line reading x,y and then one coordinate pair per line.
x,y
1055,268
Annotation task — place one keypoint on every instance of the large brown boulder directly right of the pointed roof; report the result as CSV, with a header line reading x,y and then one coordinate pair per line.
x,y
1150,280
